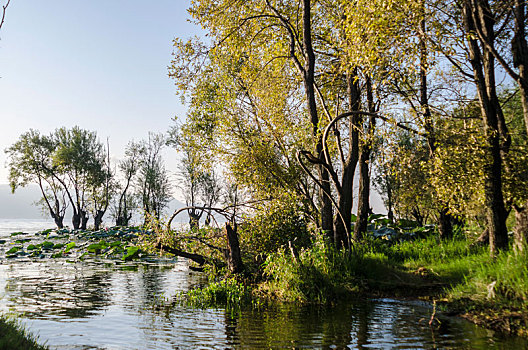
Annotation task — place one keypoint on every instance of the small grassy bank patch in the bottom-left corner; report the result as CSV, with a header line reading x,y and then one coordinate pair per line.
x,y
13,336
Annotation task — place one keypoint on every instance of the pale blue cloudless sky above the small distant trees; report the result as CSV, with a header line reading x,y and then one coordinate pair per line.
x,y
99,64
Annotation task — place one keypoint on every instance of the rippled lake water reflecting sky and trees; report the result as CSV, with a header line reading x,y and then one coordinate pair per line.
x,y
109,305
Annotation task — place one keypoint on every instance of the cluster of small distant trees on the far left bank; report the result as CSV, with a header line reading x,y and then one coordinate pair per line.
x,y
72,169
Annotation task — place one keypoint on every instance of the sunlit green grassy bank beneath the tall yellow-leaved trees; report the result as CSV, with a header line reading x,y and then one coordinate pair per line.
x,y
463,278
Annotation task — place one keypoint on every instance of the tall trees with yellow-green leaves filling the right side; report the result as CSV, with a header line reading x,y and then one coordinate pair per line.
x,y
301,101
